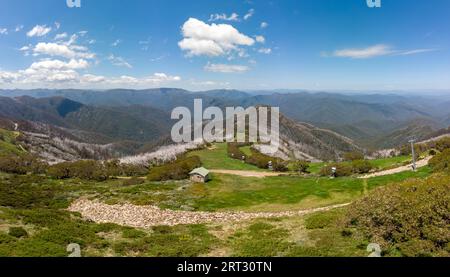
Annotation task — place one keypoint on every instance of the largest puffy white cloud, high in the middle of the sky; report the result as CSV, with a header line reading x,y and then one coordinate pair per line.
x,y
211,40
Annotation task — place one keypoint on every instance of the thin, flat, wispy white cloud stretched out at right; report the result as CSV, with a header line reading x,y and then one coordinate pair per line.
x,y
375,51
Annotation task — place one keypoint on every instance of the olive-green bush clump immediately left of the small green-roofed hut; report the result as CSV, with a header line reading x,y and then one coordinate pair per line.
x,y
177,170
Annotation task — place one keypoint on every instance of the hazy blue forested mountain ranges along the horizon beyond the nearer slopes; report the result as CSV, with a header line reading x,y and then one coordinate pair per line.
x,y
139,120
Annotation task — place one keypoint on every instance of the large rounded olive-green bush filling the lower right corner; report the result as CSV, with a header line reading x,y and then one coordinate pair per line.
x,y
412,217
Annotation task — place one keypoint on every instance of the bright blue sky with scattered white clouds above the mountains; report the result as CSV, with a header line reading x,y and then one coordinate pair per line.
x,y
240,44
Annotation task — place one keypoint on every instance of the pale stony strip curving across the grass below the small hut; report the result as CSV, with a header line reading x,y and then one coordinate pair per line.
x,y
148,216
